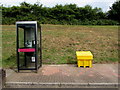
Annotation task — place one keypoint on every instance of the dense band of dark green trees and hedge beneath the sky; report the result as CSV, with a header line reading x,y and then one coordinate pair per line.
x,y
69,14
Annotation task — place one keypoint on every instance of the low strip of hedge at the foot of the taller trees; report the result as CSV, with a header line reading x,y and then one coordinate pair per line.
x,y
9,21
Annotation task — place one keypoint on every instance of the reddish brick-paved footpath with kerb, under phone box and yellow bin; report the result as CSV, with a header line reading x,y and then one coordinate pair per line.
x,y
54,76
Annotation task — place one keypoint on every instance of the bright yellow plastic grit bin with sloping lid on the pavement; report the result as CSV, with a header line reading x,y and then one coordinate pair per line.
x,y
84,58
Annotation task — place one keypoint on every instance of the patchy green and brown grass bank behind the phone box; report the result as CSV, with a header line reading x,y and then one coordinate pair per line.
x,y
60,42
